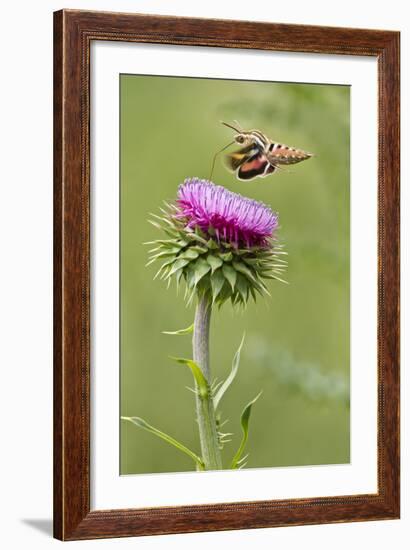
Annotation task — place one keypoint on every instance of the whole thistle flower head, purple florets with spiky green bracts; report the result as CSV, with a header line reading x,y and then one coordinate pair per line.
x,y
223,245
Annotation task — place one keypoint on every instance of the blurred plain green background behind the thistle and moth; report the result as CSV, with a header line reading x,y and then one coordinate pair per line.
x,y
297,342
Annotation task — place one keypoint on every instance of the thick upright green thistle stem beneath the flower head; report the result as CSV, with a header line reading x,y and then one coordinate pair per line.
x,y
211,454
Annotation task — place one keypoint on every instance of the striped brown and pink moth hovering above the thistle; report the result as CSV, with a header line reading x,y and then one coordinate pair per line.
x,y
258,156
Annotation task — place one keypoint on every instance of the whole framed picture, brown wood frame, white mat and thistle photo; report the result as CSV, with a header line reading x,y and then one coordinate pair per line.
x,y
226,275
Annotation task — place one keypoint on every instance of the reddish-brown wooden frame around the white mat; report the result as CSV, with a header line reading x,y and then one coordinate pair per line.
x,y
73,33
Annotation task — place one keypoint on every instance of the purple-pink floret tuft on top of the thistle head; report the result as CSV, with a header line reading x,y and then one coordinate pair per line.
x,y
229,216
